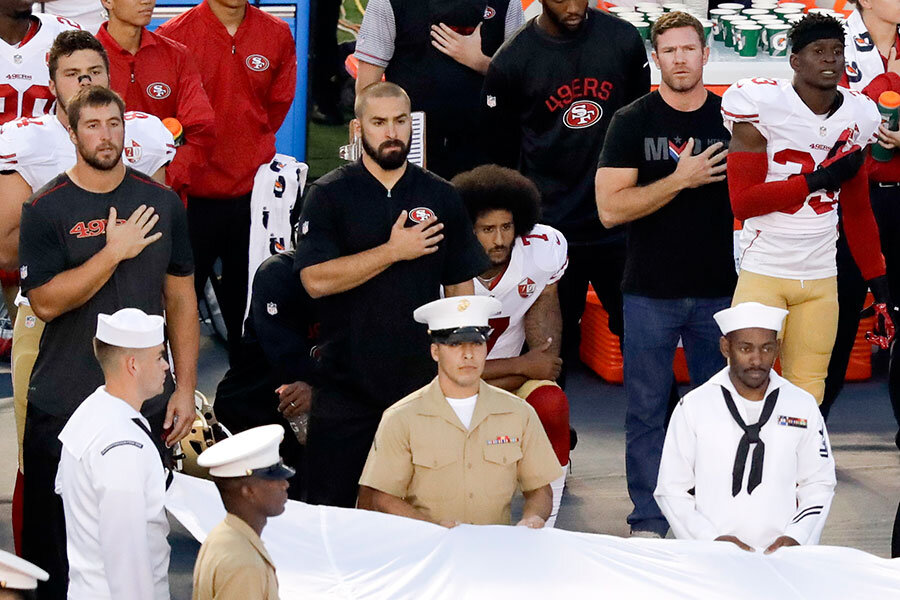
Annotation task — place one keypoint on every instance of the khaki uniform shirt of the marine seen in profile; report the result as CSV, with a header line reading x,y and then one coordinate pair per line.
x,y
233,564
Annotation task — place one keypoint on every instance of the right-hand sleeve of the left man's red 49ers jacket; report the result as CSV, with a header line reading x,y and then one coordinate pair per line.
x,y
195,113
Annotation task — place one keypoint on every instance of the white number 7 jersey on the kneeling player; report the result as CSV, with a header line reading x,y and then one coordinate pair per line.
x,y
537,260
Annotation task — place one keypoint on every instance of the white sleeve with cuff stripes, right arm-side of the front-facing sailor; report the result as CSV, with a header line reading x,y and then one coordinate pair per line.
x,y
815,482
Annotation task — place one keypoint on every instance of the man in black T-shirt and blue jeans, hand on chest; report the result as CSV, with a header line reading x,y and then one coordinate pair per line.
x,y
662,171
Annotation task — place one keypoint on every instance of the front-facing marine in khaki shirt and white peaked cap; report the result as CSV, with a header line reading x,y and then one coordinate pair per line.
x,y
456,450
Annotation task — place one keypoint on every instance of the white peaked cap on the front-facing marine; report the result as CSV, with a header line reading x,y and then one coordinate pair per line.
x,y
458,319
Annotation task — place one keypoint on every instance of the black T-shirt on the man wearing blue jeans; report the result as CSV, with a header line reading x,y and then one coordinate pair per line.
x,y
684,249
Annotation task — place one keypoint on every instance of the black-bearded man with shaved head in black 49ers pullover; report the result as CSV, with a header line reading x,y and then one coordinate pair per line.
x,y
379,238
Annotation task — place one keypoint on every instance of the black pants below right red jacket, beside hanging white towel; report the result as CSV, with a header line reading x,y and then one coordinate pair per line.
x,y
220,229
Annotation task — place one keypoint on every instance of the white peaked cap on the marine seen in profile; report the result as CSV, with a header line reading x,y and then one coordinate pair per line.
x,y
250,452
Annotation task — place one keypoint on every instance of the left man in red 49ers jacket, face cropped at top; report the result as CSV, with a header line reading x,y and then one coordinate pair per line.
x,y
158,76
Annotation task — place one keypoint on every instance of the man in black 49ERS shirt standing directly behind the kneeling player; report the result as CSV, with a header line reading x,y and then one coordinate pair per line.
x,y
548,98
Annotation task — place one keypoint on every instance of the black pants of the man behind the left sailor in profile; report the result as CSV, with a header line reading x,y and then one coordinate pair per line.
x,y
44,523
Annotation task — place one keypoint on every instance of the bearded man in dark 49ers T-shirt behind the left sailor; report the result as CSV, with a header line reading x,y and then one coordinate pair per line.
x,y
97,238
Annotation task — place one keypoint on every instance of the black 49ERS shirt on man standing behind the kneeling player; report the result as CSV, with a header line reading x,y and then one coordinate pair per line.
x,y
548,103
